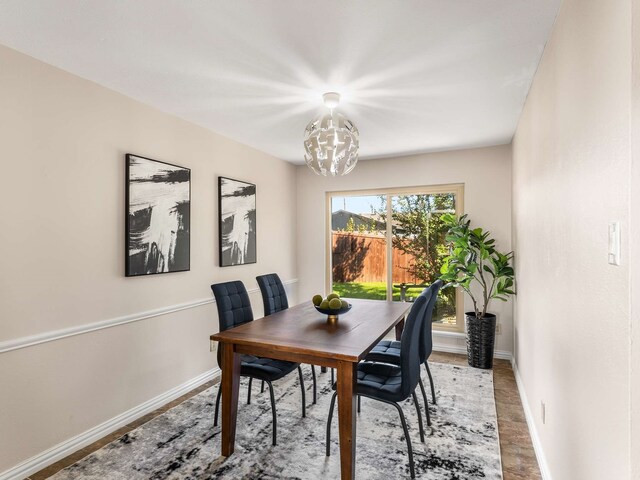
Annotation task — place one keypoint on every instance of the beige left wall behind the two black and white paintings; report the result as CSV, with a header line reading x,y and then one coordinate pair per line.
x,y
63,141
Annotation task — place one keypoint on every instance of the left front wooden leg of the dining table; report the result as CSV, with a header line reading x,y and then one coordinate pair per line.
x,y
230,390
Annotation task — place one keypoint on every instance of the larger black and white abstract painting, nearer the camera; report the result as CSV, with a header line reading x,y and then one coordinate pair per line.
x,y
158,217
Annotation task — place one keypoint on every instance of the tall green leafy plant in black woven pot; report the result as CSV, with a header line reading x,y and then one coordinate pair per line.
x,y
474,259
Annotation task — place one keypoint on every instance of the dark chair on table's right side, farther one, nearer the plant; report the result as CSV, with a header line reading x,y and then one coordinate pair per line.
x,y
388,351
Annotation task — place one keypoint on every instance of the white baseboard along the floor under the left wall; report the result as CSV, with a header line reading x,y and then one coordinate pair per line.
x,y
63,449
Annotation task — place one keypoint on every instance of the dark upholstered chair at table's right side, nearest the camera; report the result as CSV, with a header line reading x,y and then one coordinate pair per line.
x,y
394,383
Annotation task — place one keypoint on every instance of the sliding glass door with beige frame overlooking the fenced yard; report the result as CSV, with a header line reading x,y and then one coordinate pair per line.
x,y
389,244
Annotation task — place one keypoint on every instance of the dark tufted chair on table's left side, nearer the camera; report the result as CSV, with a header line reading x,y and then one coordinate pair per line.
x,y
234,309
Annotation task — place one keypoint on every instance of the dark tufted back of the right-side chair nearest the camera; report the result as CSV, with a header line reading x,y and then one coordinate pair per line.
x,y
410,346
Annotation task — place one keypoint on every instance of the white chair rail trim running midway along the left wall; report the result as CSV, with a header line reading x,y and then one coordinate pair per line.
x,y
30,341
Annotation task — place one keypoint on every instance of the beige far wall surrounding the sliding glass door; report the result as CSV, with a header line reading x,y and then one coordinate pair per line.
x,y
485,173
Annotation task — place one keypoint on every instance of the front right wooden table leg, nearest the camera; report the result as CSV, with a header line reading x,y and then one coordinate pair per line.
x,y
347,379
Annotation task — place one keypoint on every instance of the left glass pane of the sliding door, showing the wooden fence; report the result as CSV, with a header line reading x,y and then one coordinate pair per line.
x,y
359,247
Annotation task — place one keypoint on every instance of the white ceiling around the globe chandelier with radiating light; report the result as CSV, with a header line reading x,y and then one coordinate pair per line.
x,y
415,75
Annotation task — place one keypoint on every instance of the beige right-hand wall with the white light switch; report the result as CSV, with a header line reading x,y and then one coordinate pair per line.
x,y
571,160
